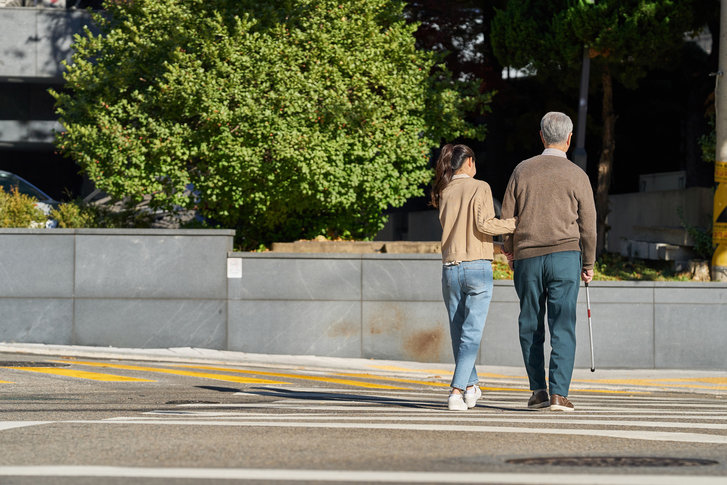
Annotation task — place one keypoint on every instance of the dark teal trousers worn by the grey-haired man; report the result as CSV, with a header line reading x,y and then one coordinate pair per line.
x,y
551,283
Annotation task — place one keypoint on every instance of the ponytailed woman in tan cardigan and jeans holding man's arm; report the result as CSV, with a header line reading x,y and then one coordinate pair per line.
x,y
467,215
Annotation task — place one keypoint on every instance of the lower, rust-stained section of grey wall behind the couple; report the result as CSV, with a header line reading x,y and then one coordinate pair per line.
x,y
390,307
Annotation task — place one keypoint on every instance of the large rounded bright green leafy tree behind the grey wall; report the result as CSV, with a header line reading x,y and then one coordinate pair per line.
x,y
288,118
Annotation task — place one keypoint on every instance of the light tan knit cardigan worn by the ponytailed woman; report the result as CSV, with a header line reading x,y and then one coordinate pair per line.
x,y
468,221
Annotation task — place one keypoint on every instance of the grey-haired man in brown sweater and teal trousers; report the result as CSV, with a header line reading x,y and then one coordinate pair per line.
x,y
553,246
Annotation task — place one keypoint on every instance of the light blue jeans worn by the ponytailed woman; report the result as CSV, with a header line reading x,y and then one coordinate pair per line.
x,y
467,291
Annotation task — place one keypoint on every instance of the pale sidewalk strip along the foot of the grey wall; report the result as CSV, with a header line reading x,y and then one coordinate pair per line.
x,y
707,382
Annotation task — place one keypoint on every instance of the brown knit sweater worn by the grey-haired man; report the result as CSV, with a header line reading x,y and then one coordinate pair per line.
x,y
553,199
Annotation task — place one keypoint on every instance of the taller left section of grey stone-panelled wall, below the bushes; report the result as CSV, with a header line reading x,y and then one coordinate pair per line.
x,y
123,288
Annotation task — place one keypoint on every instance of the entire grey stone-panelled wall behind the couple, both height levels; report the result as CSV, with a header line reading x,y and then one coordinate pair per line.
x,y
185,288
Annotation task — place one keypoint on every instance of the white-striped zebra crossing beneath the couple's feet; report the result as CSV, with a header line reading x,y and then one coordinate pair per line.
x,y
687,419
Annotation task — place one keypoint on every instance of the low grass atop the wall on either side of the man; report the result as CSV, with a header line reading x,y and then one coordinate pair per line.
x,y
613,267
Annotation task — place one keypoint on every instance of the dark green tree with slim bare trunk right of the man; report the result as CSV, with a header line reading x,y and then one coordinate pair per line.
x,y
625,39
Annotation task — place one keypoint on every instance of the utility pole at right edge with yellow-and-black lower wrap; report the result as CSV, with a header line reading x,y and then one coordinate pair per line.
x,y
719,217
